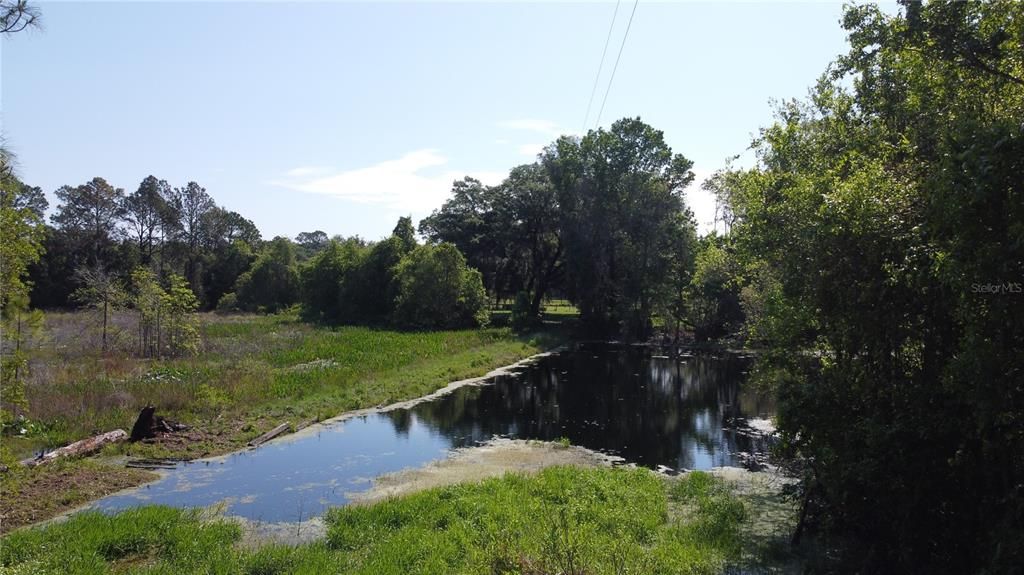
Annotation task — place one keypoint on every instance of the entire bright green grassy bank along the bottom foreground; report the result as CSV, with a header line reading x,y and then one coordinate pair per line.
x,y
564,520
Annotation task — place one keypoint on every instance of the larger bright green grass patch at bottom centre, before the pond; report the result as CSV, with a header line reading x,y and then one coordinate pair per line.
x,y
564,520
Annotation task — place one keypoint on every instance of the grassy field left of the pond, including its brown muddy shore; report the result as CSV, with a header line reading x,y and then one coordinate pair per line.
x,y
253,373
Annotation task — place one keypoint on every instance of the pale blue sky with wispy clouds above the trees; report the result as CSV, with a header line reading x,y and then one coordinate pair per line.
x,y
344,117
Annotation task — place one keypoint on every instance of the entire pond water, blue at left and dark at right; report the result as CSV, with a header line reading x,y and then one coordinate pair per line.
x,y
627,402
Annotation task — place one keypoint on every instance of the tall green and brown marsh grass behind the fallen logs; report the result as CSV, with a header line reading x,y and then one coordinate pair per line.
x,y
251,368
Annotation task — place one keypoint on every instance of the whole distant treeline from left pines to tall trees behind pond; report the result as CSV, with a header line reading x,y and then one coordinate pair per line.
x,y
600,219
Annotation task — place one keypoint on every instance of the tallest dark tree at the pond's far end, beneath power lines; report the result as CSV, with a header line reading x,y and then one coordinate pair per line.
x,y
620,195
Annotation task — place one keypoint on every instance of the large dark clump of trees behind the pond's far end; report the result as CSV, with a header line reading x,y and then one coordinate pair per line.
x,y
601,219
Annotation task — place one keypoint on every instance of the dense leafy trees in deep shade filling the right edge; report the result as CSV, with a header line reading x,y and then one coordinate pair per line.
x,y
884,236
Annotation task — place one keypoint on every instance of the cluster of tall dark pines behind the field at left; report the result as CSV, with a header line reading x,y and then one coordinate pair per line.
x,y
163,229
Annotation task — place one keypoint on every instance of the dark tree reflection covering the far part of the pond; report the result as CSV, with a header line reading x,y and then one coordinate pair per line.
x,y
653,411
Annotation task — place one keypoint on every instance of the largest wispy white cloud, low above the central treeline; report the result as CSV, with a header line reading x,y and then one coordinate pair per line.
x,y
408,184
